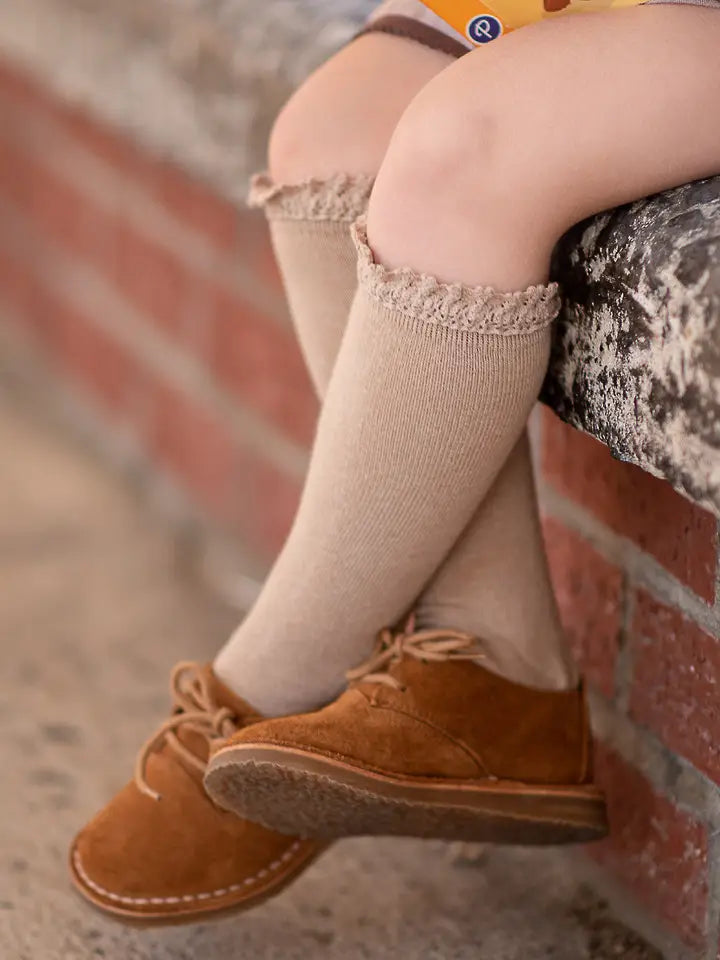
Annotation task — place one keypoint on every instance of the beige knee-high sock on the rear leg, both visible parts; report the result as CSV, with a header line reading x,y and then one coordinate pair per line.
x,y
472,590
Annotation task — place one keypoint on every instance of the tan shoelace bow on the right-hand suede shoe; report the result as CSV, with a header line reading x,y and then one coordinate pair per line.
x,y
426,645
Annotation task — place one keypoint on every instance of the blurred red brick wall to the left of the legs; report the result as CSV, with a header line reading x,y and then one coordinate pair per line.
x,y
159,304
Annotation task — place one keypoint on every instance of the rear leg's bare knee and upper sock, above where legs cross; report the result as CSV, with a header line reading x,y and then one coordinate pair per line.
x,y
326,147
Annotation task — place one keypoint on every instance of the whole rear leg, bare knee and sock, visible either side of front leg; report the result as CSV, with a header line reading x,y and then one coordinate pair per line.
x,y
310,204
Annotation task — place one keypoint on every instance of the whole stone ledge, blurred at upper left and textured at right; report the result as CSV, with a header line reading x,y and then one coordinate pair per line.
x,y
636,360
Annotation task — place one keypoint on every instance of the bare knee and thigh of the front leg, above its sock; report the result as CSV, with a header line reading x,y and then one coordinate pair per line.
x,y
514,143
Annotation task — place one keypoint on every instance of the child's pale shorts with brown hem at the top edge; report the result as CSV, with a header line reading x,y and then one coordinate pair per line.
x,y
412,19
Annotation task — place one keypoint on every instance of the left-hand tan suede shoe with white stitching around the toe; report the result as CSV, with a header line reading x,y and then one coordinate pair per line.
x,y
161,851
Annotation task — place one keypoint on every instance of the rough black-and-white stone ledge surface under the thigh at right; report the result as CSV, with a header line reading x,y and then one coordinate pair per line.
x,y
636,358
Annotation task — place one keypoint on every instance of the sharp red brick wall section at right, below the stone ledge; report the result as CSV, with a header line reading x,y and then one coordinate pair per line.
x,y
634,567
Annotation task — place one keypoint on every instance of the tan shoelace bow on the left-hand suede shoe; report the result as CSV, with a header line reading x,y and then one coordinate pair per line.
x,y
196,711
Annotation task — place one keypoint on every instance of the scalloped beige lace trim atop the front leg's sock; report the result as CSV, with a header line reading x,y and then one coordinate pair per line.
x,y
454,305
